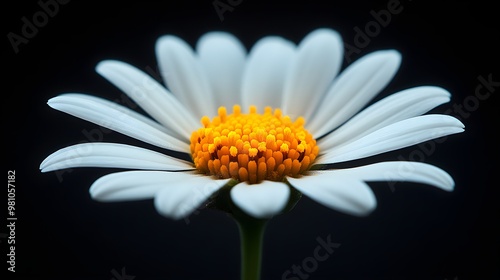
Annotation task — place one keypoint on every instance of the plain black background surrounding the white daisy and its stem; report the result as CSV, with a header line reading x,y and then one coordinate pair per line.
x,y
416,232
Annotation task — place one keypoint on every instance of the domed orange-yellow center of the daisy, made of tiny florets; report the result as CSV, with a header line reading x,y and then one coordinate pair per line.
x,y
253,147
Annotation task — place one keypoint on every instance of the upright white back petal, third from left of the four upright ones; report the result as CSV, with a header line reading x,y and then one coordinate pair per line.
x,y
265,73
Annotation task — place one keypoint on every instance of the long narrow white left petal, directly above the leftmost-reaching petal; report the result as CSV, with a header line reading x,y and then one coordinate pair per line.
x,y
117,118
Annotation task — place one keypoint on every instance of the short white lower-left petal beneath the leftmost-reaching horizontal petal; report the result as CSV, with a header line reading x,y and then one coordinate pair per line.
x,y
134,185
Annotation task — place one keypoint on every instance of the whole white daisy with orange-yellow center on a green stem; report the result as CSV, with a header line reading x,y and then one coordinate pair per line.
x,y
261,128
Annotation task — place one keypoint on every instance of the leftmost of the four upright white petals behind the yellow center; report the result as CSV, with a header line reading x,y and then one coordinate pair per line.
x,y
184,75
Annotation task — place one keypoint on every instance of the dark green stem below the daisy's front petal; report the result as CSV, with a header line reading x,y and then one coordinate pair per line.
x,y
251,236
